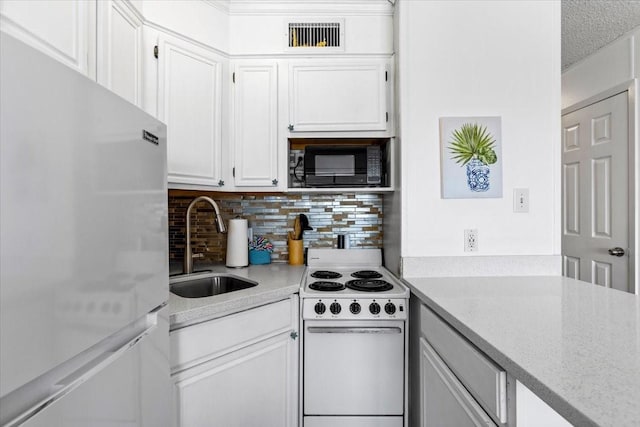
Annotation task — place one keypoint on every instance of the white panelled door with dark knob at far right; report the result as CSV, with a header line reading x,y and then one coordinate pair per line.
x,y
595,159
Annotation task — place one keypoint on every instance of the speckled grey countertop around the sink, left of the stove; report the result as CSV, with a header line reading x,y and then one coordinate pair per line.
x,y
276,281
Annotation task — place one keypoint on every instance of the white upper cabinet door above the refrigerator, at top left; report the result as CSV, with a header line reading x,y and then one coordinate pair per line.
x,y
63,29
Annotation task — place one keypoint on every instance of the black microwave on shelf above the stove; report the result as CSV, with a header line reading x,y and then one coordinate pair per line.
x,y
343,166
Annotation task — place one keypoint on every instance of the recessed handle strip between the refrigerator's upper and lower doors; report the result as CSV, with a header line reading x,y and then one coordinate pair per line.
x,y
36,395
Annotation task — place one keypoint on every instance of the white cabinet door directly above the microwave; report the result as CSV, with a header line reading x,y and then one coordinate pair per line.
x,y
339,96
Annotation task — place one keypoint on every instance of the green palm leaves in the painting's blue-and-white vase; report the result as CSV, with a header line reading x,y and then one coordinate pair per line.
x,y
473,141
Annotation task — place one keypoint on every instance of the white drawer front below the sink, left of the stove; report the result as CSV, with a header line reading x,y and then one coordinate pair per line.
x,y
198,343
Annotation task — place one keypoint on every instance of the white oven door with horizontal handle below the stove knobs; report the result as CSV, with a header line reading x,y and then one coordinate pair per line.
x,y
354,367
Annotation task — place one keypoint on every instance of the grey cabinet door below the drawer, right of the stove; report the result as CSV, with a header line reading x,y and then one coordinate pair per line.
x,y
444,400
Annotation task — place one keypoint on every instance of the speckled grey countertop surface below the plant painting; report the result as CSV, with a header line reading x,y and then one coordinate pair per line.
x,y
576,345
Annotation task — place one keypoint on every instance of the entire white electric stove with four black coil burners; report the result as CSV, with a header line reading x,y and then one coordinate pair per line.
x,y
354,314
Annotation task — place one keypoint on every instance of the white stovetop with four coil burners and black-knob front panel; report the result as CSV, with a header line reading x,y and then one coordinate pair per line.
x,y
351,284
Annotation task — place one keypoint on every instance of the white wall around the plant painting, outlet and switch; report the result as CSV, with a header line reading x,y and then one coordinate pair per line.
x,y
489,58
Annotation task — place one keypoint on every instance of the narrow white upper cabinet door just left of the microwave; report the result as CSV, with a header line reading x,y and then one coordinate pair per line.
x,y
255,107
